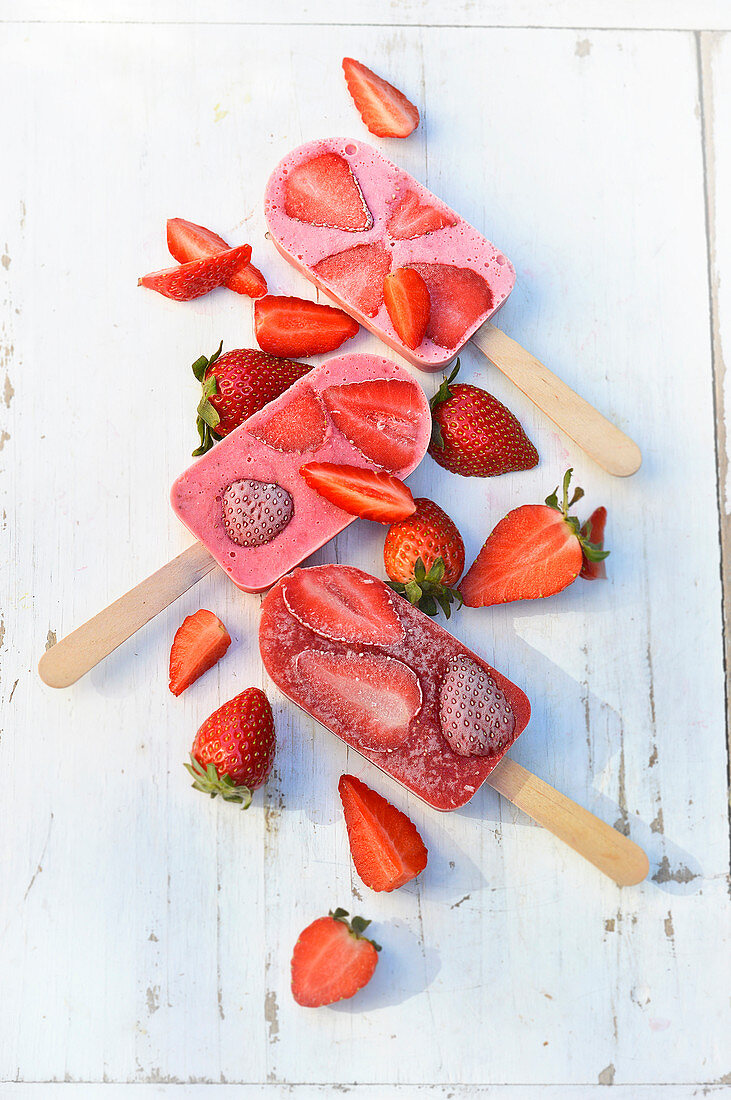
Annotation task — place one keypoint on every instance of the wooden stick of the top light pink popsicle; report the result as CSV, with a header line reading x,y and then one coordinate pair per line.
x,y
602,441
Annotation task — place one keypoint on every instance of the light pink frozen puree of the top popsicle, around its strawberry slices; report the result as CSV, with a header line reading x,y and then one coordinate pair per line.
x,y
384,186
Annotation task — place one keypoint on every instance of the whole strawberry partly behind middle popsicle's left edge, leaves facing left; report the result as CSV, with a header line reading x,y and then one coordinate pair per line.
x,y
237,386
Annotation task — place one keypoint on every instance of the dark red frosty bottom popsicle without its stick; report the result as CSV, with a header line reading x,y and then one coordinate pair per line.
x,y
389,680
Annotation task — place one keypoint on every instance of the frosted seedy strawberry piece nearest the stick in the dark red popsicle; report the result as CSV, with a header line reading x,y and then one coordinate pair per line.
x,y
475,717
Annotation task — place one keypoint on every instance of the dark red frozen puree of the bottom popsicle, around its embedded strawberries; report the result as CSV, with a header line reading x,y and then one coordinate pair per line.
x,y
423,761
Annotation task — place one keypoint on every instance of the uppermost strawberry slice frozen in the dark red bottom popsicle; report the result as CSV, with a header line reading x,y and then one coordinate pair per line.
x,y
344,604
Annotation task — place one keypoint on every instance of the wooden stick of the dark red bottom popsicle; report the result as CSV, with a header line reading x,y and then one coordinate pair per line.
x,y
613,853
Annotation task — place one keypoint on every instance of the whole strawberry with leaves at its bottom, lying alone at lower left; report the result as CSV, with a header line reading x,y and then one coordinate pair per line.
x,y
234,751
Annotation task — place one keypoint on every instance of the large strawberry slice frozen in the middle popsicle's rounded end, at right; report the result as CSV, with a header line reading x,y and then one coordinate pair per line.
x,y
380,417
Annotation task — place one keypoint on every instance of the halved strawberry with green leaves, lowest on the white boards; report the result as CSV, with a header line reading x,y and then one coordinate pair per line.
x,y
333,960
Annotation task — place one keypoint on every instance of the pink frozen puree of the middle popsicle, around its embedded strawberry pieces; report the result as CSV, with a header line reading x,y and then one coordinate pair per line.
x,y
197,497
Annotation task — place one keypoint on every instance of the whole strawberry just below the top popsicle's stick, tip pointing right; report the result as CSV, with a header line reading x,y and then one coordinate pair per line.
x,y
475,435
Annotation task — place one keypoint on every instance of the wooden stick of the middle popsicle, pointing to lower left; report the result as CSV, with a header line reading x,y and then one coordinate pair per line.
x,y
80,652
